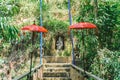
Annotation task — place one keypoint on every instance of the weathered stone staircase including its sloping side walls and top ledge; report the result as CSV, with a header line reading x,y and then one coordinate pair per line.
x,y
57,68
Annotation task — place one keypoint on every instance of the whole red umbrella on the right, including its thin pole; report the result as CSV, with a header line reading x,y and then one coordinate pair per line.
x,y
83,25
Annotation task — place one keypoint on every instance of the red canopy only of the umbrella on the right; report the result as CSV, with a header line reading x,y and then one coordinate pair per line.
x,y
83,25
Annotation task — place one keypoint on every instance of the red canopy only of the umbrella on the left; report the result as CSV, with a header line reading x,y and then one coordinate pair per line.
x,y
34,28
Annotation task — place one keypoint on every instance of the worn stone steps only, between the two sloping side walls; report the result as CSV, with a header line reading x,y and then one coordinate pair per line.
x,y
56,71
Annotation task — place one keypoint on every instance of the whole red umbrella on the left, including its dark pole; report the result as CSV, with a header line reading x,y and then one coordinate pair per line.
x,y
34,28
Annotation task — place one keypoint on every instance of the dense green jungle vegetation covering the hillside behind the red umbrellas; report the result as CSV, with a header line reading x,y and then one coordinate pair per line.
x,y
102,45
